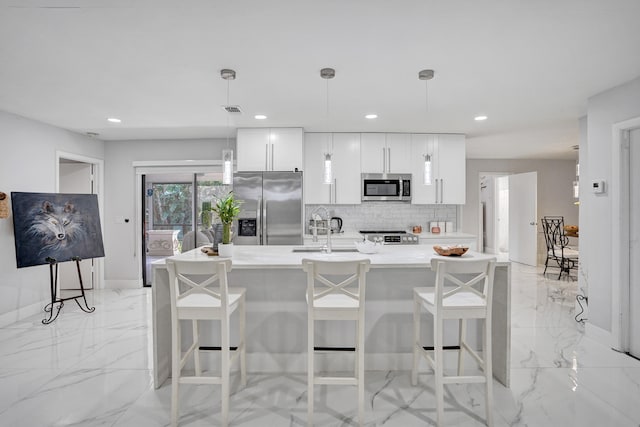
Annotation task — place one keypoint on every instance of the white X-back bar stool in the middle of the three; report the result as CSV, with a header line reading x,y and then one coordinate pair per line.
x,y
329,299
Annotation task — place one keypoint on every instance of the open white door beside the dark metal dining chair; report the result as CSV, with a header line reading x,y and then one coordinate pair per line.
x,y
523,214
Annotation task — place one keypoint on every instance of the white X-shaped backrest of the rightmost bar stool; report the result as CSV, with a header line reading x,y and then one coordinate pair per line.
x,y
463,275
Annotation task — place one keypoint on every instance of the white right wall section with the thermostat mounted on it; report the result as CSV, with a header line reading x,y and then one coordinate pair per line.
x,y
615,105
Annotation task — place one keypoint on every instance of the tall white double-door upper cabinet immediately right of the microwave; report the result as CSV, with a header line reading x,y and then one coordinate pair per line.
x,y
448,157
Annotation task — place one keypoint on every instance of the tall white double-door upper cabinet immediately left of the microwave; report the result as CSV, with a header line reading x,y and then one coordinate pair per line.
x,y
345,150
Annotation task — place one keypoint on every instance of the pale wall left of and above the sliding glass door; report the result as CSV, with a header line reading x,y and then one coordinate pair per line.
x,y
122,259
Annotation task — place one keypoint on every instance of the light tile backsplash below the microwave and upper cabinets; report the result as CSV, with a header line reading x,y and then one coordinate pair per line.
x,y
386,215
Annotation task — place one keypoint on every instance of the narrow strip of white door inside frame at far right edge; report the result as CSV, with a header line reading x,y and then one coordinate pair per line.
x,y
634,242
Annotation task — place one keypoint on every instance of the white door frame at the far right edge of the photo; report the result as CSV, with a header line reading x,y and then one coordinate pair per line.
x,y
620,310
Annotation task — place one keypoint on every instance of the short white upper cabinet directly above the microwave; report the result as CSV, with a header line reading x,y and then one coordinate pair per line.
x,y
385,152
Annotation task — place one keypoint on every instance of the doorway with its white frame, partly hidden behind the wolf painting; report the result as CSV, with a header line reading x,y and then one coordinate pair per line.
x,y
79,175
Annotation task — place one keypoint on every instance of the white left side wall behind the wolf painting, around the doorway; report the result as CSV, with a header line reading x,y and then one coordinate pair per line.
x,y
28,163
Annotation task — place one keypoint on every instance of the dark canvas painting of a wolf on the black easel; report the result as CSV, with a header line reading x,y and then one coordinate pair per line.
x,y
55,226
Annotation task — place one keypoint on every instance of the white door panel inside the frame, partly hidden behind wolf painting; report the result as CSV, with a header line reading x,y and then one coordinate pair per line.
x,y
75,178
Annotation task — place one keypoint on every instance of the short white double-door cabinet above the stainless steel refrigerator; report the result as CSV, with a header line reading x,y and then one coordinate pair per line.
x,y
269,149
